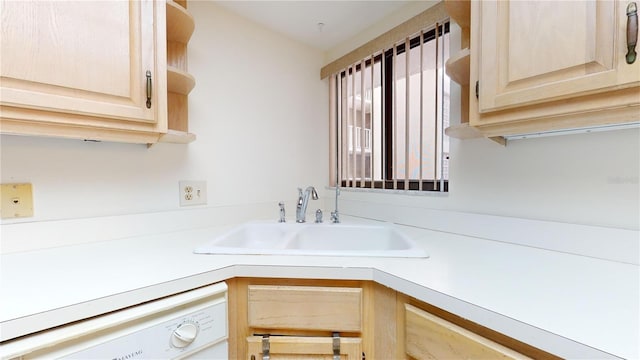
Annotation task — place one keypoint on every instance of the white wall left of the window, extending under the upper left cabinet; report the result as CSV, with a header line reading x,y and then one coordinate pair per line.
x,y
259,112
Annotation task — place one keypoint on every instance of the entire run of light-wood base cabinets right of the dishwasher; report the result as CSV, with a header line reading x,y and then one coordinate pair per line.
x,y
301,317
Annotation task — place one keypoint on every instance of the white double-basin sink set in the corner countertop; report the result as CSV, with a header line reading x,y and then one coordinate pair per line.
x,y
325,239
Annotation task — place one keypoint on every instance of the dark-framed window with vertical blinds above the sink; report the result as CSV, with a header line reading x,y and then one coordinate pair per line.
x,y
391,109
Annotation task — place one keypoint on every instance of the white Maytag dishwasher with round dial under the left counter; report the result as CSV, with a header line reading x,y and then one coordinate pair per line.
x,y
189,325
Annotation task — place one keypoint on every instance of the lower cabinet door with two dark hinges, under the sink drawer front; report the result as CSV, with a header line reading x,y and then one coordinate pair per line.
x,y
297,347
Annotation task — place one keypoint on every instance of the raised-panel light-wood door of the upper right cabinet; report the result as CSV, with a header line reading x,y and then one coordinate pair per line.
x,y
530,52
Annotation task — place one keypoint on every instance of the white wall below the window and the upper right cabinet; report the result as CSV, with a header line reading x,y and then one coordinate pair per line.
x,y
589,179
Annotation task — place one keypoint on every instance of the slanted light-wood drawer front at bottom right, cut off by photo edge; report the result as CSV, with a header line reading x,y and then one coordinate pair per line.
x,y
430,337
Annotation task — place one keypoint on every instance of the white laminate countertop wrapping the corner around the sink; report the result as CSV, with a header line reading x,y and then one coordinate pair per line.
x,y
570,305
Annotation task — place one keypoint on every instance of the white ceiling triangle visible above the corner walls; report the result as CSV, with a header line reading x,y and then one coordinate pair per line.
x,y
299,19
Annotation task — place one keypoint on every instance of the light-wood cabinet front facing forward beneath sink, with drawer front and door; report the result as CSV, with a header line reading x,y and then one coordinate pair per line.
x,y
301,321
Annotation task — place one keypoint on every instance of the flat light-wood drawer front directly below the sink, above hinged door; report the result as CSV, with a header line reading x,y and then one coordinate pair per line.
x,y
305,308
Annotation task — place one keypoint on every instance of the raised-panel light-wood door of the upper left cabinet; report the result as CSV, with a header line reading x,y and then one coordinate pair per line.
x,y
82,59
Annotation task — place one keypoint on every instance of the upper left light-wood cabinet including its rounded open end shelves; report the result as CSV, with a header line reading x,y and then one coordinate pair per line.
x,y
96,70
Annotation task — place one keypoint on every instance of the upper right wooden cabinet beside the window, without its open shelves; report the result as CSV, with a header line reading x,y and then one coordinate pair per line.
x,y
541,66
